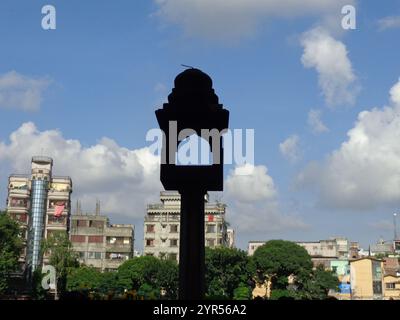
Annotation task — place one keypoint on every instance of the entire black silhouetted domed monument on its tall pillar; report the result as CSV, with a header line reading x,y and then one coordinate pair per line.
x,y
194,105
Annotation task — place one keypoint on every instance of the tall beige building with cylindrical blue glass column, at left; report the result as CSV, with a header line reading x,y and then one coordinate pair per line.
x,y
41,203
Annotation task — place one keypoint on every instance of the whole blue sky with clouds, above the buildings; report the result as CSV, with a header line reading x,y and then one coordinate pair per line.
x,y
108,66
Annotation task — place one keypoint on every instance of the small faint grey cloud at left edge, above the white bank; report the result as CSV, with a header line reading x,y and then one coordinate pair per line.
x,y
21,92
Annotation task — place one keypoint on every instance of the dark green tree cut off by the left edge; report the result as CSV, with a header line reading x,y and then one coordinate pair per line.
x,y
10,249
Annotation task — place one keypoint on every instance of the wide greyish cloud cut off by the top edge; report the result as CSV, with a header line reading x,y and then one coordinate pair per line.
x,y
236,19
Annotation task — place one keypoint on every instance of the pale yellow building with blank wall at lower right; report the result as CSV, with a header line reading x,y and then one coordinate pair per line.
x,y
366,278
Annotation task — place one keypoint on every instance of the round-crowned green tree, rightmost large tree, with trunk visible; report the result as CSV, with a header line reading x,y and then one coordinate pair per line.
x,y
279,259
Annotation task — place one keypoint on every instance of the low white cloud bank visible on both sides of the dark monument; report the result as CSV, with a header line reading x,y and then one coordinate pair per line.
x,y
127,180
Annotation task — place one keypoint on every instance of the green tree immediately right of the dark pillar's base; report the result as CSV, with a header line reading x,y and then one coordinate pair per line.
x,y
226,271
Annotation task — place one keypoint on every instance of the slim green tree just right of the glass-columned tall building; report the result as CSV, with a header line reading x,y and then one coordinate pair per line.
x,y
61,256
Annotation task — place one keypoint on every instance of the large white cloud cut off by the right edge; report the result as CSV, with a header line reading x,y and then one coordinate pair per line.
x,y
364,173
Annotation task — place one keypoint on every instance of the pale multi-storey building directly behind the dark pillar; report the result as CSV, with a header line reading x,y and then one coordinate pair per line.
x,y
161,226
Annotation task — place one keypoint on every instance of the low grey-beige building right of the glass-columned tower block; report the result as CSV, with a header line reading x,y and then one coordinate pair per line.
x,y
100,244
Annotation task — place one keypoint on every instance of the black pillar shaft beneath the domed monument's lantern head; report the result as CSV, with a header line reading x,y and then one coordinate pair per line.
x,y
191,245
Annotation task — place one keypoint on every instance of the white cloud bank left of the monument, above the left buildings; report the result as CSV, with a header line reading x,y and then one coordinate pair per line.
x,y
124,180
